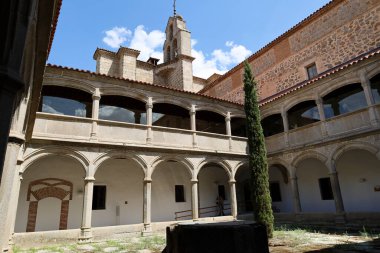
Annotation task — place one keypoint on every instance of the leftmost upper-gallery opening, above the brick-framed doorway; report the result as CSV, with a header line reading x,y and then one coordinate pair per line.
x,y
66,101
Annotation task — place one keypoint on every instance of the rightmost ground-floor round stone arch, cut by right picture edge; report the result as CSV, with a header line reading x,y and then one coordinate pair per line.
x,y
343,148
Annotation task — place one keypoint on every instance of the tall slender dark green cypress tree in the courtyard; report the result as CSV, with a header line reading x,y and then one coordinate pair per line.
x,y
262,203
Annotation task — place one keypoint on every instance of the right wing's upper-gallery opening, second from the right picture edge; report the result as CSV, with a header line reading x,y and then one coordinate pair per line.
x,y
344,100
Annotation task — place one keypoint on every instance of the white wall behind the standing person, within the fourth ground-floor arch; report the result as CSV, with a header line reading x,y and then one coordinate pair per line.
x,y
208,180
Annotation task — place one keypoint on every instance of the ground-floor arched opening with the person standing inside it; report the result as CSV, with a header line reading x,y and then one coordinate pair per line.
x,y
213,182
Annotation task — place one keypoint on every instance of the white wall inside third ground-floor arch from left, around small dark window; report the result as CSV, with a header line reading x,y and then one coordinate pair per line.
x,y
164,178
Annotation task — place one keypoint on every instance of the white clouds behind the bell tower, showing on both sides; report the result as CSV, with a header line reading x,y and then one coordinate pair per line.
x,y
150,45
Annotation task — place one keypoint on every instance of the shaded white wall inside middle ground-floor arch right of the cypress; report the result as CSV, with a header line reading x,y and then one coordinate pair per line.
x,y
308,173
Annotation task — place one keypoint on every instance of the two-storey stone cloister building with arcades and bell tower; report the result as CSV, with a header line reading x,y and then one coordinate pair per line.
x,y
136,145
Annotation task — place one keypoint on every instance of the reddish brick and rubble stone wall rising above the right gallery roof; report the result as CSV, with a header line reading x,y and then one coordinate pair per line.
x,y
347,30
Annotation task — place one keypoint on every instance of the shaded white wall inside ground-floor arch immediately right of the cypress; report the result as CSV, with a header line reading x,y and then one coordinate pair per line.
x,y
285,206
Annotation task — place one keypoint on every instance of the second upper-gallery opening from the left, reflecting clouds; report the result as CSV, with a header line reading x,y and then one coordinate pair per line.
x,y
123,109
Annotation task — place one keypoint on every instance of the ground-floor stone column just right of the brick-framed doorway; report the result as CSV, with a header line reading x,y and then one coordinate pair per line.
x,y
86,233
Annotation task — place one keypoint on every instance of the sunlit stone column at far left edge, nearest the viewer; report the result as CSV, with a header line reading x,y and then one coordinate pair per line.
x,y
9,189
